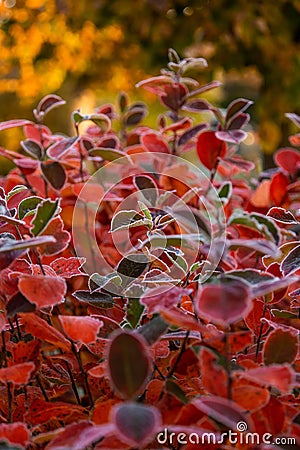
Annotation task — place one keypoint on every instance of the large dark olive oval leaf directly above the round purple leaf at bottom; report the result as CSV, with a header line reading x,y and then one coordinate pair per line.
x,y
129,364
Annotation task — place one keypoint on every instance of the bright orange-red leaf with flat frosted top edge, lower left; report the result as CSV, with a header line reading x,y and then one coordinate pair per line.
x,y
83,329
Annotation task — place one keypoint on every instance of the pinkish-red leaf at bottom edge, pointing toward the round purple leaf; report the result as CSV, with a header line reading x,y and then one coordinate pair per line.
x,y
78,436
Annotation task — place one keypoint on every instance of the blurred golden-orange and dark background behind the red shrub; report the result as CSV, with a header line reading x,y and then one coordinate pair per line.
x,y
89,50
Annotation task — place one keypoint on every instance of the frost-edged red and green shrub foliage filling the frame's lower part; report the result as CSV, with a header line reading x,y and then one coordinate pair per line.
x,y
195,328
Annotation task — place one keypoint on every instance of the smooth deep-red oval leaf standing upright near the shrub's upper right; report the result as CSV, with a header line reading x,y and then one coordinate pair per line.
x,y
210,148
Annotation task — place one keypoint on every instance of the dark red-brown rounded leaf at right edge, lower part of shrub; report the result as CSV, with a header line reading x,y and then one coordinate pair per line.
x,y
281,346
